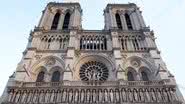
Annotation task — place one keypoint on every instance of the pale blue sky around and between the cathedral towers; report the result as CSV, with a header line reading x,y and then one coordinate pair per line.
x,y
165,17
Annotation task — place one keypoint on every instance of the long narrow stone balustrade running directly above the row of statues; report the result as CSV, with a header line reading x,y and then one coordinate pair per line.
x,y
80,83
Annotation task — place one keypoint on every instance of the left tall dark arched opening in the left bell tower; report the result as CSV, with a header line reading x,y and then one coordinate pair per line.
x,y
55,21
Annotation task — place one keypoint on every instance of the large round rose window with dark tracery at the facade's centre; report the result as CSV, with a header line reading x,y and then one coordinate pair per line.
x,y
94,71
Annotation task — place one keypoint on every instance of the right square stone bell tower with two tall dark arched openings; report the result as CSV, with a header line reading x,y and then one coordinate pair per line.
x,y
123,17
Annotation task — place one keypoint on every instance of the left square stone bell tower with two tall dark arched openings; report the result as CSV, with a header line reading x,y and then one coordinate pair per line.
x,y
61,16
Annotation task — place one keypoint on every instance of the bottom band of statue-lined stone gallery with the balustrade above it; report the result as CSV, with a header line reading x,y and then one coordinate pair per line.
x,y
73,92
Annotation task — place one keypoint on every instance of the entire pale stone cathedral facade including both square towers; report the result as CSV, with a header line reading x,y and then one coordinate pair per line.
x,y
65,64
